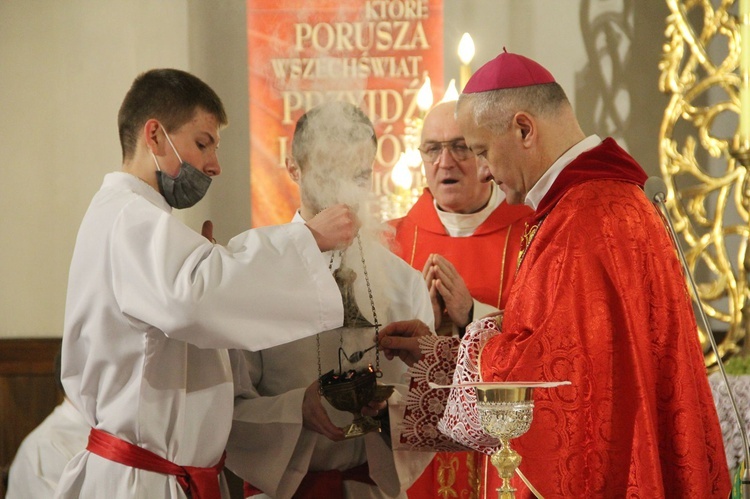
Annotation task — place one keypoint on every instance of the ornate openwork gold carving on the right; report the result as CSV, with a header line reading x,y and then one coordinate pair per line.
x,y
703,163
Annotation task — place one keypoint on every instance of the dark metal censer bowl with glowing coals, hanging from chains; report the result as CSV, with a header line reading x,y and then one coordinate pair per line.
x,y
350,392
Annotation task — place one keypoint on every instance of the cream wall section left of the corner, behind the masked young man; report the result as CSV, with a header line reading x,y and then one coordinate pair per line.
x,y
64,68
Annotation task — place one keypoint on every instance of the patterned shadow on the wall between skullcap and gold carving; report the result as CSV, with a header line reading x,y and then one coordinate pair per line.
x,y
617,93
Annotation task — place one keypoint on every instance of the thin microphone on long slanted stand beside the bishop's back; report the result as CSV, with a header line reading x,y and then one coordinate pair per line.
x,y
656,190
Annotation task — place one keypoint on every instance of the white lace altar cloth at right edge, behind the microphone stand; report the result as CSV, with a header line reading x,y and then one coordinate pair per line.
x,y
729,429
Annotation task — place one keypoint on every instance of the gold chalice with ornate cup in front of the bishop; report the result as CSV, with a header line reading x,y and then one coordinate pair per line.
x,y
505,413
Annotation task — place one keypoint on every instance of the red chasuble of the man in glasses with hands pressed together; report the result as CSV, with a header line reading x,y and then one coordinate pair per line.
x,y
487,262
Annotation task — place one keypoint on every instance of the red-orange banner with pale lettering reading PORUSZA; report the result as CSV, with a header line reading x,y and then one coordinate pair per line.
x,y
372,53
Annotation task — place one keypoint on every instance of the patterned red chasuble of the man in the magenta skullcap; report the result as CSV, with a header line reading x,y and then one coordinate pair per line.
x,y
600,300
